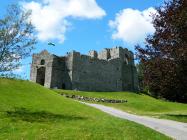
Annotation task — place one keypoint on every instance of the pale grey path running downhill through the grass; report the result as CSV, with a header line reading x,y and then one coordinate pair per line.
x,y
173,129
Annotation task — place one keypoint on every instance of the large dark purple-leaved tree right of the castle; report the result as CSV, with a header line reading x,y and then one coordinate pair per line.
x,y
165,54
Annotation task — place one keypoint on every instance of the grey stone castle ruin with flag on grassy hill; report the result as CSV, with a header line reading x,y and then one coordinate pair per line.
x,y
109,70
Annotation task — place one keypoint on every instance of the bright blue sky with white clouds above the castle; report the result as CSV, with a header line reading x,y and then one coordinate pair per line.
x,y
84,25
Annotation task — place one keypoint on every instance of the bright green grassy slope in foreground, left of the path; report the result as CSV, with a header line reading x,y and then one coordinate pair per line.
x,y
29,111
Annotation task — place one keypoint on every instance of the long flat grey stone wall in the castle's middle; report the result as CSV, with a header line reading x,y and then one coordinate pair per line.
x,y
96,75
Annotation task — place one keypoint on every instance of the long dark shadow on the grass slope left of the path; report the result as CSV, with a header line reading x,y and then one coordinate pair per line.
x,y
42,116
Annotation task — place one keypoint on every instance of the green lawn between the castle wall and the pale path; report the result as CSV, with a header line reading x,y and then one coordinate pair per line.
x,y
140,104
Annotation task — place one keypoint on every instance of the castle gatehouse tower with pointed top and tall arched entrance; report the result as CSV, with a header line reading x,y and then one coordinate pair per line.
x,y
49,70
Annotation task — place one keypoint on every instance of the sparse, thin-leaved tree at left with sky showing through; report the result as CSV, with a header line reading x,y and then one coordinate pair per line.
x,y
16,38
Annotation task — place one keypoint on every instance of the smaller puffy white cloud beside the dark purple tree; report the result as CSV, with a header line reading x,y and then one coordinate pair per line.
x,y
132,26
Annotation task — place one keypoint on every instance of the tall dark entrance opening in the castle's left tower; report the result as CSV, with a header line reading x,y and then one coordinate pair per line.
x,y
40,79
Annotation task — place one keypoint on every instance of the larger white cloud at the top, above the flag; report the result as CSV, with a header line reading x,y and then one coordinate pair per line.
x,y
50,16
